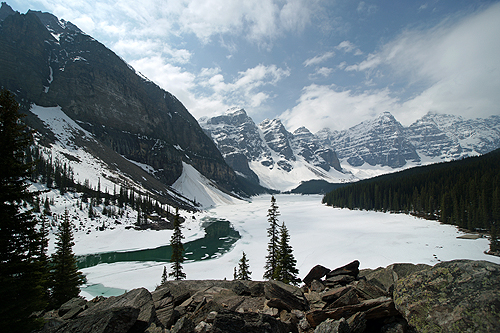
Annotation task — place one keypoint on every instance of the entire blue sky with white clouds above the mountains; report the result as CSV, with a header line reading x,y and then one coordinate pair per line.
x,y
313,63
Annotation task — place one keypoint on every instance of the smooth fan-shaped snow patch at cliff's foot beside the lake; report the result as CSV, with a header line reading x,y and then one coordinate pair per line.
x,y
201,190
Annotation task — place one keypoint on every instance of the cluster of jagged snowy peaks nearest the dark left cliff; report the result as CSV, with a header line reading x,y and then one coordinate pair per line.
x,y
270,155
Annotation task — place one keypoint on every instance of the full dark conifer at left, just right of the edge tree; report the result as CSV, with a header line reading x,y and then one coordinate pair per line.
x,y
65,276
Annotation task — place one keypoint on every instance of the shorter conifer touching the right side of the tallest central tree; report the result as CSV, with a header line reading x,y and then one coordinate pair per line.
x,y
286,270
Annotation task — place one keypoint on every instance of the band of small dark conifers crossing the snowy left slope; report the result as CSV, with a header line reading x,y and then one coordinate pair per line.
x,y
59,175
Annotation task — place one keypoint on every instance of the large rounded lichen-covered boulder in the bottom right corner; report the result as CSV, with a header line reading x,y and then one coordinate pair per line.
x,y
454,296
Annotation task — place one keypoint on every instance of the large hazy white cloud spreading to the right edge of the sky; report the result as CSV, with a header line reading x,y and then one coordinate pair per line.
x,y
456,63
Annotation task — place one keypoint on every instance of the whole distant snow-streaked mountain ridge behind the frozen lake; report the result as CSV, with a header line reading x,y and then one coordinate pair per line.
x,y
373,147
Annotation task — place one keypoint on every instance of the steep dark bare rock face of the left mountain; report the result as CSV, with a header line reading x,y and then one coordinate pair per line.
x,y
51,62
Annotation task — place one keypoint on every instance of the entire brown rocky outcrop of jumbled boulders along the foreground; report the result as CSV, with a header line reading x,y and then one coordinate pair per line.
x,y
456,296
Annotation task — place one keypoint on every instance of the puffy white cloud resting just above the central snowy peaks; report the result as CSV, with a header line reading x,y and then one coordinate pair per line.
x,y
322,106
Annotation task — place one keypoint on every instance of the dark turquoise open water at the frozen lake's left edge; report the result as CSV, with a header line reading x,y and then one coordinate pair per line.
x,y
219,239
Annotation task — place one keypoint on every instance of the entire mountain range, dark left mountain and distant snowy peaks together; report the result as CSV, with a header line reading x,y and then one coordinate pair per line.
x,y
84,99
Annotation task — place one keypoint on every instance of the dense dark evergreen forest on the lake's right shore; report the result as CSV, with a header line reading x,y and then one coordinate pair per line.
x,y
465,193
